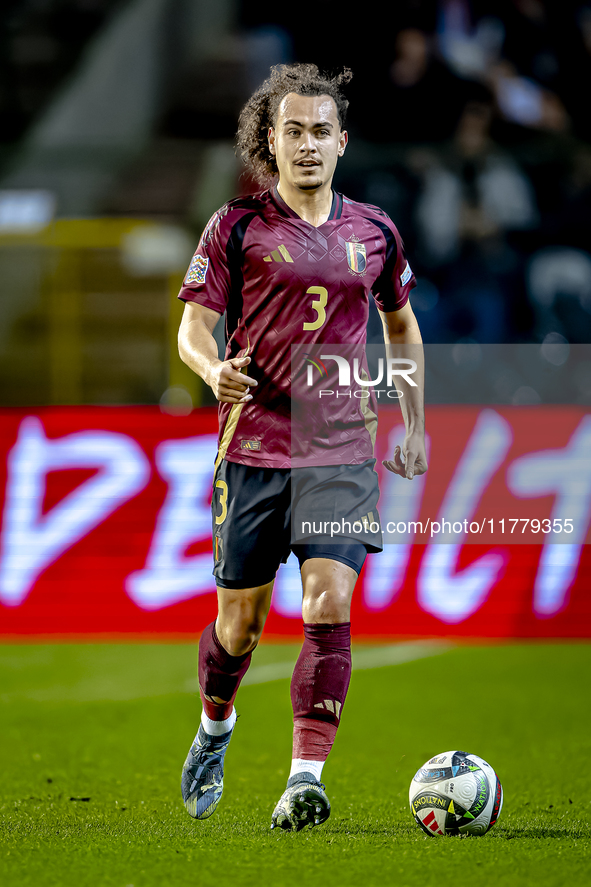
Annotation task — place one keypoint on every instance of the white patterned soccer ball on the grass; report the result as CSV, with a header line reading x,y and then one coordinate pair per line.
x,y
456,793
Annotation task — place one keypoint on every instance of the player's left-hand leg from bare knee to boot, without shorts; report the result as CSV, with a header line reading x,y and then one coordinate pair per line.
x,y
225,649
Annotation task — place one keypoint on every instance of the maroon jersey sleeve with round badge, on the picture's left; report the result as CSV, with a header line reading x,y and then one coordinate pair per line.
x,y
207,281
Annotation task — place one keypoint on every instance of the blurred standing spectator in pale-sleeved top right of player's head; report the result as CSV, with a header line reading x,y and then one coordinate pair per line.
x,y
472,196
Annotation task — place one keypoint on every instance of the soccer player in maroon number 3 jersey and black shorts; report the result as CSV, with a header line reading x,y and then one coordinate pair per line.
x,y
296,263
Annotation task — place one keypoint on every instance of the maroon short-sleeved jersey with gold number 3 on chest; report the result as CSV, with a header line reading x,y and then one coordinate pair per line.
x,y
283,282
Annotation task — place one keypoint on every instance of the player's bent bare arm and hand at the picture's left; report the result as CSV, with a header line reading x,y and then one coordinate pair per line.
x,y
199,350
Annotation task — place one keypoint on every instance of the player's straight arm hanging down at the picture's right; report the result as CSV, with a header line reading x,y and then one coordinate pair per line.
x,y
403,340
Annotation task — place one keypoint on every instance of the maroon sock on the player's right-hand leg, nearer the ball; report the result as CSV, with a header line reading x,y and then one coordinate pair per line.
x,y
318,688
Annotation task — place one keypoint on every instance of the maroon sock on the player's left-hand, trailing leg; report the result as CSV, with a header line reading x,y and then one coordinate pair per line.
x,y
219,675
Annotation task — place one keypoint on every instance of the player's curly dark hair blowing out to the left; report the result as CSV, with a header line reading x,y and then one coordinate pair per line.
x,y
260,111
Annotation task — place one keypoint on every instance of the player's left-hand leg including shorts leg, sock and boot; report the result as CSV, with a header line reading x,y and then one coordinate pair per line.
x,y
249,543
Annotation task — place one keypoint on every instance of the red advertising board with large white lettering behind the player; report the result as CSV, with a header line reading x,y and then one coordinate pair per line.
x,y
106,527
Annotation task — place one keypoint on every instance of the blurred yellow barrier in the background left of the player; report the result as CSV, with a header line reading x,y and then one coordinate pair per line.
x,y
90,313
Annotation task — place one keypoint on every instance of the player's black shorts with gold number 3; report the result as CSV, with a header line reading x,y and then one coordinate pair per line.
x,y
252,511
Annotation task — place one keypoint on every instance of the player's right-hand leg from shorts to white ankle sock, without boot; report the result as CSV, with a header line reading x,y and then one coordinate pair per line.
x,y
330,567
